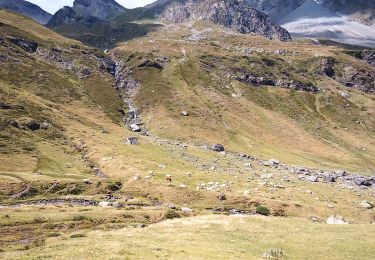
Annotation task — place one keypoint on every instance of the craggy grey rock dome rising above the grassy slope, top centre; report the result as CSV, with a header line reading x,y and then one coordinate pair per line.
x,y
235,14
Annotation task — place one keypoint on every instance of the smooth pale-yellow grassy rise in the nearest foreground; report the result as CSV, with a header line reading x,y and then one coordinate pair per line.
x,y
214,237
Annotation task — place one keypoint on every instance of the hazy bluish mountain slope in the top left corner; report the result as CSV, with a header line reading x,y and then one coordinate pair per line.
x,y
27,9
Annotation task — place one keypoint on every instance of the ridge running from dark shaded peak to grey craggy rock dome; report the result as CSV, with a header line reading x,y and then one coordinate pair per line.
x,y
128,24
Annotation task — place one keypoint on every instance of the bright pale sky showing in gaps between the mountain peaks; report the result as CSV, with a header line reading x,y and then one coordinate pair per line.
x,y
53,5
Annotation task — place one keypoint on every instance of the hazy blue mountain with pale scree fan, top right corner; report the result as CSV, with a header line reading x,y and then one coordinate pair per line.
x,y
347,21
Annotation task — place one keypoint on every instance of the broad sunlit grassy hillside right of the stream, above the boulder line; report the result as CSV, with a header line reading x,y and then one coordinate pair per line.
x,y
294,126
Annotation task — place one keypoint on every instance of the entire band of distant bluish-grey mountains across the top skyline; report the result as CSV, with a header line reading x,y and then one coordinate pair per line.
x,y
103,23
